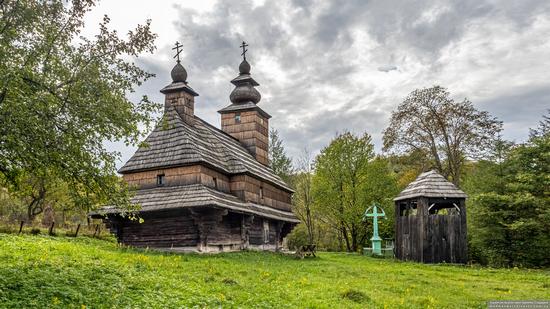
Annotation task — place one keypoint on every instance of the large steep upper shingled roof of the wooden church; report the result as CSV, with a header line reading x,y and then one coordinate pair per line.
x,y
175,142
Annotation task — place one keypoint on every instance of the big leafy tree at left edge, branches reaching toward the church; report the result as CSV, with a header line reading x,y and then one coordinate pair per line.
x,y
63,95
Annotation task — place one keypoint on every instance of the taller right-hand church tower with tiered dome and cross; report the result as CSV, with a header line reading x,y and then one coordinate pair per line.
x,y
243,119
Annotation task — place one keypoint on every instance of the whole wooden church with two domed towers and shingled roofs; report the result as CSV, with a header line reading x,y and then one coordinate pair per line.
x,y
201,188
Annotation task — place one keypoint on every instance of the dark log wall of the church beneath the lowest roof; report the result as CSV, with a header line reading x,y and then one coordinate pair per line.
x,y
202,229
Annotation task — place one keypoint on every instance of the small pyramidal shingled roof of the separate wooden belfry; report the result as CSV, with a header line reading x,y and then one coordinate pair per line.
x,y
430,184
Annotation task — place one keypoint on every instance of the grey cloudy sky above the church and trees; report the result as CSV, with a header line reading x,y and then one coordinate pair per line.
x,y
329,66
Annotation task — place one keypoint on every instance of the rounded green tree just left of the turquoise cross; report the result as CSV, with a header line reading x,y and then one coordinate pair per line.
x,y
348,178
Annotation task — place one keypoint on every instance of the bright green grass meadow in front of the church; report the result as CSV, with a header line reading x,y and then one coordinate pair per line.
x,y
42,271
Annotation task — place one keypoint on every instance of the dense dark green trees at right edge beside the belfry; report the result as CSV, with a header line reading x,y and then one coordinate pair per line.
x,y
510,210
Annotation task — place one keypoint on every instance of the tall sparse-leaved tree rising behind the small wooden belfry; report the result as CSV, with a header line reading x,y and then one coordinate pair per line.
x,y
430,121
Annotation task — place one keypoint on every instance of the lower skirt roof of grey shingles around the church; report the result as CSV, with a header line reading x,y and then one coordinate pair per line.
x,y
162,198
